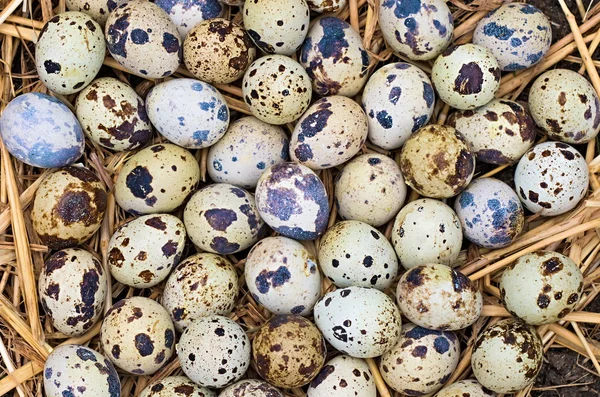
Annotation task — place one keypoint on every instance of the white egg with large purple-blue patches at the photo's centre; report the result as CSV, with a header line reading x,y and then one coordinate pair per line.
x,y
292,200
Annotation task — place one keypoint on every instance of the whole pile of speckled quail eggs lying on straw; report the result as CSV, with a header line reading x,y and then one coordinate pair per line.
x,y
267,198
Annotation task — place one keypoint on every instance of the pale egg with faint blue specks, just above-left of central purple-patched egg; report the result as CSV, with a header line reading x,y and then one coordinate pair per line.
x,y
247,148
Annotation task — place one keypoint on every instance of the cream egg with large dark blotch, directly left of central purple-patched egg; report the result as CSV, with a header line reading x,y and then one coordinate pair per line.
x,y
222,219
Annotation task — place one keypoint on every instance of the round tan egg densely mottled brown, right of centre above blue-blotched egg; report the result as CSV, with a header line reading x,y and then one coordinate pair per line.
x,y
437,161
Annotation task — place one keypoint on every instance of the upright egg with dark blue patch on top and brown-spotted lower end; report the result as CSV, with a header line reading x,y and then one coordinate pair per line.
x,y
335,58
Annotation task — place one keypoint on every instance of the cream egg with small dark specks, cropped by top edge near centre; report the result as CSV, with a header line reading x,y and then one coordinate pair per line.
x,y
277,27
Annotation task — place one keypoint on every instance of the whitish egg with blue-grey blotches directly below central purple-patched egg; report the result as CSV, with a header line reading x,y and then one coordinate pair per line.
x,y
283,276
